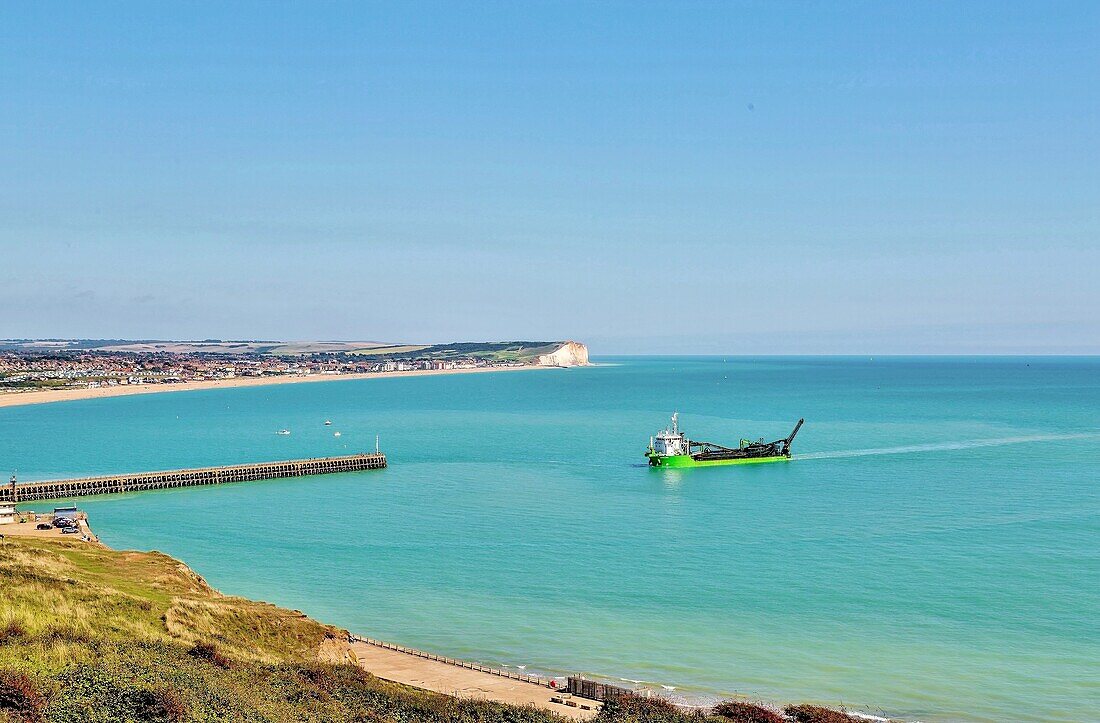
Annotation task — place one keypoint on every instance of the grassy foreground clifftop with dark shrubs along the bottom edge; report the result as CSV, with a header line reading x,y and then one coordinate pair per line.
x,y
98,636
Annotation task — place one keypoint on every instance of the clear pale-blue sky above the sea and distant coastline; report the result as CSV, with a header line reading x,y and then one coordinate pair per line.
x,y
685,178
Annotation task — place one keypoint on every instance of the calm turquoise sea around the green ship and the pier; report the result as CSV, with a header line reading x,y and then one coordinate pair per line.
x,y
933,552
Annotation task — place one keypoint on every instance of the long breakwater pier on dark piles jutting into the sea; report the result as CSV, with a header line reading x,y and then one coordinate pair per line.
x,y
142,481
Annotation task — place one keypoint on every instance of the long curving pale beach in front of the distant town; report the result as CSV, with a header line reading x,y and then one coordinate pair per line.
x,y
45,397
